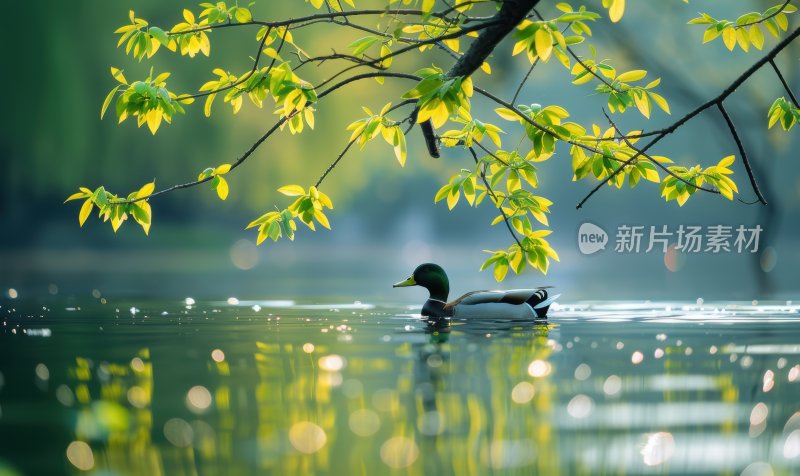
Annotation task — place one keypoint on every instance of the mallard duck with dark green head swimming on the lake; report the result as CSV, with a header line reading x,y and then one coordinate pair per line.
x,y
511,304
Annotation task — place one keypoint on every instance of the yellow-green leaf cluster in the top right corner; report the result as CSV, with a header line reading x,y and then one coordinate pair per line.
x,y
746,30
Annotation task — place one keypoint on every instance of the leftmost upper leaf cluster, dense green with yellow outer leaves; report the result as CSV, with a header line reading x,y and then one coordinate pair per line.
x,y
148,100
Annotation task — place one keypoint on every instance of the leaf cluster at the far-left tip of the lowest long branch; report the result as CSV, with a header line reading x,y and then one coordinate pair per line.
x,y
111,208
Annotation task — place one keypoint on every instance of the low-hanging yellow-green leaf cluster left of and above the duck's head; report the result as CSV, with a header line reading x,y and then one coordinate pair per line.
x,y
308,207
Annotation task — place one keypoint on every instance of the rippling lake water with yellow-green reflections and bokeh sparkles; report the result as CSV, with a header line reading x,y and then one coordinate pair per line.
x,y
277,387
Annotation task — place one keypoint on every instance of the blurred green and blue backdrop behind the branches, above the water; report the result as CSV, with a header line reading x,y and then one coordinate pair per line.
x,y
52,141
